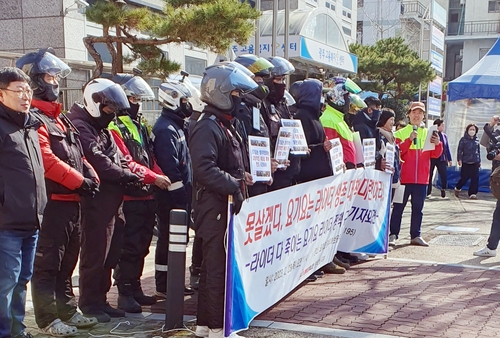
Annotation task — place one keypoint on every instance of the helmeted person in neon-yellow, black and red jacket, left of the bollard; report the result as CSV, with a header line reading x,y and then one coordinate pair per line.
x,y
139,206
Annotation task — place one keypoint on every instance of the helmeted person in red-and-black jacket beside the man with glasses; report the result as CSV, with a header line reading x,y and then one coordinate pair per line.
x,y
68,176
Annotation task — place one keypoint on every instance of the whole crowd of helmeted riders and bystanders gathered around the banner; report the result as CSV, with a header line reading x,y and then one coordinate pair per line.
x,y
92,183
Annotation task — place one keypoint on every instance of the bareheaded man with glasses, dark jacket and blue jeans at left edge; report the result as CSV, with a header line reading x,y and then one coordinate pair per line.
x,y
22,198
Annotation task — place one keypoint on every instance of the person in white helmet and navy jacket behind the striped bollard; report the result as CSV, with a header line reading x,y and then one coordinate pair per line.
x,y
172,154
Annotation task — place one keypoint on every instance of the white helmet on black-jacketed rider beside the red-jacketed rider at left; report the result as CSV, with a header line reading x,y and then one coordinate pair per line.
x,y
99,93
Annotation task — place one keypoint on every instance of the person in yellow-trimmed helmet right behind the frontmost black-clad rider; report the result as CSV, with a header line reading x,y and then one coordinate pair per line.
x,y
249,121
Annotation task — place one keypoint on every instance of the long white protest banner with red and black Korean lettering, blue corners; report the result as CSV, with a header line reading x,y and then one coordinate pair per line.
x,y
278,239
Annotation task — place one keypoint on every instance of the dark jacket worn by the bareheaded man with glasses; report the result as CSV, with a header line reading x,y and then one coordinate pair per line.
x,y
22,183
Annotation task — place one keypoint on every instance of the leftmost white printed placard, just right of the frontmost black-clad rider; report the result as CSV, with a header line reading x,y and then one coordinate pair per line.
x,y
260,158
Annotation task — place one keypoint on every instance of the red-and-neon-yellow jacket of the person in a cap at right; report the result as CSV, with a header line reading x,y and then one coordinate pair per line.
x,y
416,162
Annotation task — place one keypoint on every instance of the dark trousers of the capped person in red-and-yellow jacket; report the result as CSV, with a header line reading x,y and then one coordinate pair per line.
x,y
418,194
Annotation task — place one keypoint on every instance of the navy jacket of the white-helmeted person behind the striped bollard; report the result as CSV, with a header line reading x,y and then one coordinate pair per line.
x,y
172,155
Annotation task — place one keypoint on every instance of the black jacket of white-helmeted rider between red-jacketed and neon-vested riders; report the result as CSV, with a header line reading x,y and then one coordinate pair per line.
x,y
99,147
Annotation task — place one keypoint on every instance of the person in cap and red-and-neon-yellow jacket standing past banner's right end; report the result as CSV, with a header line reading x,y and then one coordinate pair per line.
x,y
414,173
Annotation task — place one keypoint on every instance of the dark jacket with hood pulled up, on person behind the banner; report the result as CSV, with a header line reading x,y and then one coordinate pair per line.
x,y
317,164
